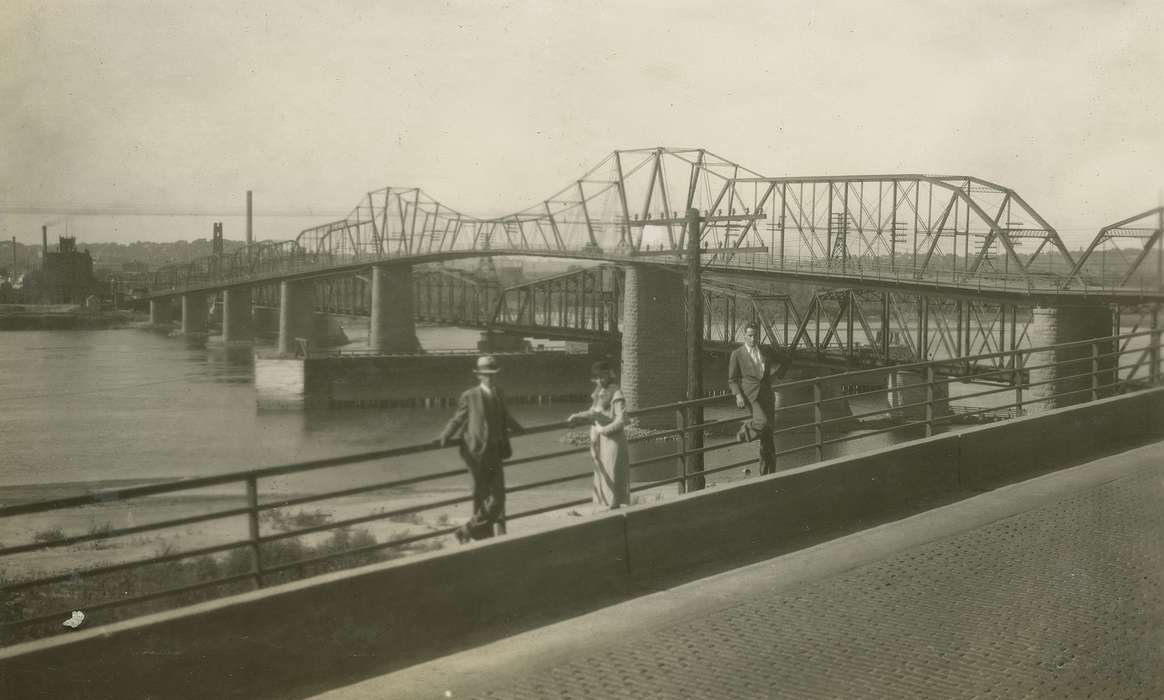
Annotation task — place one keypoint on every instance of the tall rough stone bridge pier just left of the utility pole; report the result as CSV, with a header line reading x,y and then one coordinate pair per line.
x,y
655,349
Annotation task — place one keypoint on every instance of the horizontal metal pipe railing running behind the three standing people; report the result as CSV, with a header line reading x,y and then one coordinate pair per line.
x,y
1091,371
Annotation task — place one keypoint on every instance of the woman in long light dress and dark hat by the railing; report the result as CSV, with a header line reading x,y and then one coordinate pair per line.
x,y
607,416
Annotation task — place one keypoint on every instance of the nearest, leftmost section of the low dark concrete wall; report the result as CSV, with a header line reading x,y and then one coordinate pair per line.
x,y
276,642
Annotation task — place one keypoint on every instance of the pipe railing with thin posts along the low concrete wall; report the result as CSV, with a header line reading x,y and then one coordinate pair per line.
x,y
268,539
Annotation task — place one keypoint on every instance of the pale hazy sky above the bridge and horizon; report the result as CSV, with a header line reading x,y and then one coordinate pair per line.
x,y
176,109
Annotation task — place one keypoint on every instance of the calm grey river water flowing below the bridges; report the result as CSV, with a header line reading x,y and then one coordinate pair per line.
x,y
87,407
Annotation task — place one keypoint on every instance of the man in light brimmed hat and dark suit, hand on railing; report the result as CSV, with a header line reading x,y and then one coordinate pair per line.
x,y
484,423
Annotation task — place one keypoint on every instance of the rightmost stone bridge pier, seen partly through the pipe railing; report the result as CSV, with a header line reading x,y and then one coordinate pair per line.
x,y
1067,376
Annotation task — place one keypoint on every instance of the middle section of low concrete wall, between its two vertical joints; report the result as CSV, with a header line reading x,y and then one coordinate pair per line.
x,y
776,511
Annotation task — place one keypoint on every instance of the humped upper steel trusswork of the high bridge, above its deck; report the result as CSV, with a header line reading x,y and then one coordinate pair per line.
x,y
950,231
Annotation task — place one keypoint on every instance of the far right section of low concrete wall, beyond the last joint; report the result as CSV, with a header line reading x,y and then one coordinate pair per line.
x,y
1004,452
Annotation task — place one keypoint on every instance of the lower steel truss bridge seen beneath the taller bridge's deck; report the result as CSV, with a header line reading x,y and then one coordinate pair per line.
x,y
848,328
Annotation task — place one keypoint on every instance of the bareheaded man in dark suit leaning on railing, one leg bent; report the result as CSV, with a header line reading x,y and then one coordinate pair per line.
x,y
750,372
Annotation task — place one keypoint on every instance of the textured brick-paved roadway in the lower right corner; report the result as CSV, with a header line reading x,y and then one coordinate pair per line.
x,y
1063,602
